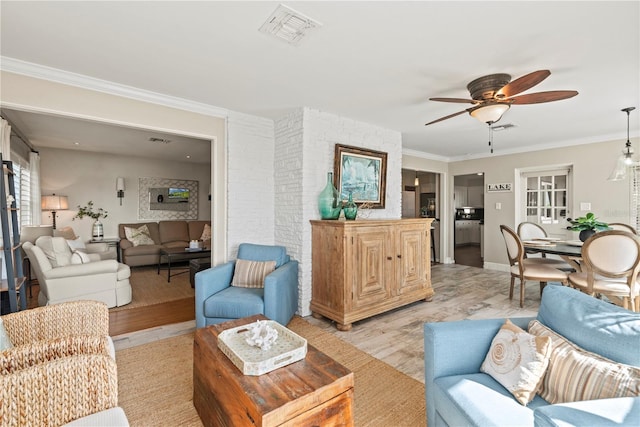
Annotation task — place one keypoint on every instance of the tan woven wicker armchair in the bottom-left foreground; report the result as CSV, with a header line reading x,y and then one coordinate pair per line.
x,y
61,367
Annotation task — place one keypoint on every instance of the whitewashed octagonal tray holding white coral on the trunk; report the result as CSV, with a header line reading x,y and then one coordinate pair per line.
x,y
288,348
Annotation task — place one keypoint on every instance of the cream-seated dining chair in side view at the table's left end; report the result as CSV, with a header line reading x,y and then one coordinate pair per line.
x,y
525,270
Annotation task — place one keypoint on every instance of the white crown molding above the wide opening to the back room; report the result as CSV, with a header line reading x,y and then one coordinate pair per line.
x,y
43,72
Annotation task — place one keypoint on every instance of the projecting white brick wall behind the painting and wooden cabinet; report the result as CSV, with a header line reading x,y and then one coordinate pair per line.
x,y
304,149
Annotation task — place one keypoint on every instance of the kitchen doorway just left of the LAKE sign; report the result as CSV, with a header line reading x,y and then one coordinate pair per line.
x,y
468,228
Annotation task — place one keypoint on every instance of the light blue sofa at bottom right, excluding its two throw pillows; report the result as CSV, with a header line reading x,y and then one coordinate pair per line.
x,y
459,394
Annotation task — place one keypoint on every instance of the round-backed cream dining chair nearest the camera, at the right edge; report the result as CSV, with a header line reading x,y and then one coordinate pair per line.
x,y
611,262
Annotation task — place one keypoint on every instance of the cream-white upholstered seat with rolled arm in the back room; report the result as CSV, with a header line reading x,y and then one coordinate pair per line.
x,y
64,275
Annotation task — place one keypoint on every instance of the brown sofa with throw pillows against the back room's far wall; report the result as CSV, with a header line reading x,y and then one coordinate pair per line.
x,y
142,246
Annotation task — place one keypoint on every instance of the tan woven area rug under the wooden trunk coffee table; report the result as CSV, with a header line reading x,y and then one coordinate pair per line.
x,y
156,382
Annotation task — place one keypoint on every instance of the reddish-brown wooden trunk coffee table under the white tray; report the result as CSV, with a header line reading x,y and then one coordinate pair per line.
x,y
316,391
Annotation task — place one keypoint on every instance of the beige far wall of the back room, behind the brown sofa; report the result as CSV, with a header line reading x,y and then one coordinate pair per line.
x,y
84,176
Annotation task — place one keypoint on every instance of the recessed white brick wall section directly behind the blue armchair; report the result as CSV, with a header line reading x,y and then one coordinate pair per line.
x,y
250,215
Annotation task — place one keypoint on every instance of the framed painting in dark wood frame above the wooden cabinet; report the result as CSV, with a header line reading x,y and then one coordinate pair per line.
x,y
361,172
